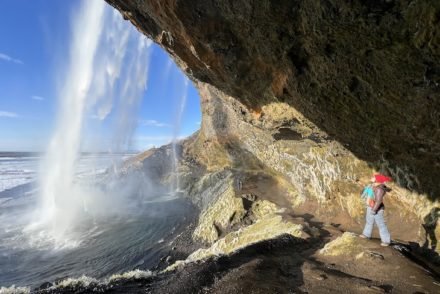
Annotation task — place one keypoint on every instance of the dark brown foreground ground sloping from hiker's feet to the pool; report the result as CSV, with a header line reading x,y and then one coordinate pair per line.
x,y
284,265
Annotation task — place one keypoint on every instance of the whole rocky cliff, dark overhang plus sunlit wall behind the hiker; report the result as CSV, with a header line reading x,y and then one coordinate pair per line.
x,y
301,102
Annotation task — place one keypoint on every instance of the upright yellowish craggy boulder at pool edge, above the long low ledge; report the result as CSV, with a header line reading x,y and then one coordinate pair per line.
x,y
226,211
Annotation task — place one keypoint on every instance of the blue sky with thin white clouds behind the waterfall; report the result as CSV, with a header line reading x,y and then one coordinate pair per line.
x,y
34,41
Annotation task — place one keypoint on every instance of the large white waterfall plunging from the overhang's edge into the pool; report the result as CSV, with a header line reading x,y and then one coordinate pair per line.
x,y
101,43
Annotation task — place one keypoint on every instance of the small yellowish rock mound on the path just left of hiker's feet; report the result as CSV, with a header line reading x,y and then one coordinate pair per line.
x,y
343,245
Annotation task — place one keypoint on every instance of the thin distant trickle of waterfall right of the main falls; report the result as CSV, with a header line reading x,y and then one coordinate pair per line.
x,y
176,132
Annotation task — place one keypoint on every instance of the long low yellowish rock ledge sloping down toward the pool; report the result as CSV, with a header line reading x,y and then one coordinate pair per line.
x,y
264,229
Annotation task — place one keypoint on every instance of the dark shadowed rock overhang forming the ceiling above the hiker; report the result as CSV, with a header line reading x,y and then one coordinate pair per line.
x,y
365,72
